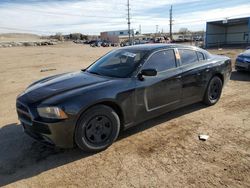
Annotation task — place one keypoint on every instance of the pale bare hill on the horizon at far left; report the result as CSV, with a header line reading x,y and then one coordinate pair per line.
x,y
17,37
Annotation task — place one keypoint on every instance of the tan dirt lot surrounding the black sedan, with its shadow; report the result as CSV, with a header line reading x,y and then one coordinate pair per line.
x,y
163,152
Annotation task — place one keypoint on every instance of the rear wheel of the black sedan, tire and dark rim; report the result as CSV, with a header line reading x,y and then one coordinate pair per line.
x,y
213,91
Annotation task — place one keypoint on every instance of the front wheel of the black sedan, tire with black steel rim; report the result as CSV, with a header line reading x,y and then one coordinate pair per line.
x,y
97,128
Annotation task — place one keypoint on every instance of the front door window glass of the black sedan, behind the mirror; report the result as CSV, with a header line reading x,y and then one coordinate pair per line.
x,y
161,61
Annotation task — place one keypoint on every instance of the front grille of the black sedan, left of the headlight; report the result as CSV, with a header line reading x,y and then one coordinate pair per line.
x,y
23,113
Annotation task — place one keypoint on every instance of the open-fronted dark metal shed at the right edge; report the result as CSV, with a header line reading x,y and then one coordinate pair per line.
x,y
229,32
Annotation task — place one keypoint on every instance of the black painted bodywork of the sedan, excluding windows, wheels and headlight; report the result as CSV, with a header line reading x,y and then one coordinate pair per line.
x,y
135,100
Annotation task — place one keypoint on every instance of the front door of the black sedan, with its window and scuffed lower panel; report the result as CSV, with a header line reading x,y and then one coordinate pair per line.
x,y
161,92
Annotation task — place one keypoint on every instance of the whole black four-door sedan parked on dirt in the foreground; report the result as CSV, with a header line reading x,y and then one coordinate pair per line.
x,y
127,86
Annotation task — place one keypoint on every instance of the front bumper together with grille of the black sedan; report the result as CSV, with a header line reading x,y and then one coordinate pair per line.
x,y
59,134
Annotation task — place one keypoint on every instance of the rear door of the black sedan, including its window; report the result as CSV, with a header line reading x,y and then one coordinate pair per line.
x,y
193,75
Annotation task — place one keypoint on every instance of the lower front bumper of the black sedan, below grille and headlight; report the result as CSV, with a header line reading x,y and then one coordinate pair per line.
x,y
59,134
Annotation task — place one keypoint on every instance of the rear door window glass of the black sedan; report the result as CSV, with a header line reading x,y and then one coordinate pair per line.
x,y
188,56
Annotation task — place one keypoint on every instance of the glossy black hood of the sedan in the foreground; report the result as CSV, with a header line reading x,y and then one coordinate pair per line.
x,y
57,84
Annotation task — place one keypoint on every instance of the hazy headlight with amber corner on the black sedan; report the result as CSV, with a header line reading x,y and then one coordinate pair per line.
x,y
52,113
